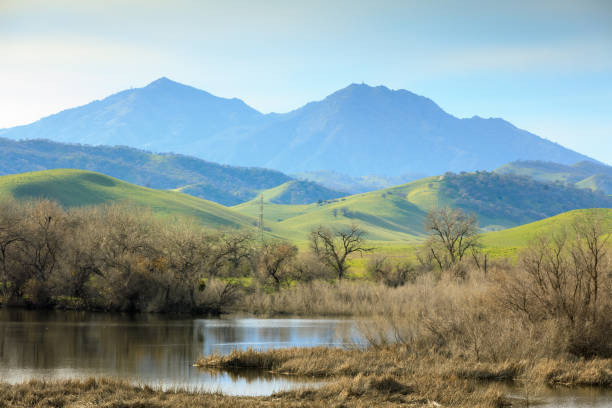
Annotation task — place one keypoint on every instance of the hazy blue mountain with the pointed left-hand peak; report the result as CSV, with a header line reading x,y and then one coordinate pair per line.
x,y
163,116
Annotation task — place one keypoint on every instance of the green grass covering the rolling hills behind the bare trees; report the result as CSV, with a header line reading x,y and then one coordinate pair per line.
x,y
393,217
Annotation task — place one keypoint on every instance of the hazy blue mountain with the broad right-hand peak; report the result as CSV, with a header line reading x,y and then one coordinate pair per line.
x,y
362,130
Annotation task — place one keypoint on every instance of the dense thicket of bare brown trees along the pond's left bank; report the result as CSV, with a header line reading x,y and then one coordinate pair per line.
x,y
116,258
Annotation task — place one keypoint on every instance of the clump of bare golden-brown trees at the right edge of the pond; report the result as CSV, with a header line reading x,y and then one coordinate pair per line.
x,y
567,278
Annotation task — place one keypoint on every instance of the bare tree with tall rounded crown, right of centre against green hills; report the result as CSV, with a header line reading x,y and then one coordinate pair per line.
x,y
453,234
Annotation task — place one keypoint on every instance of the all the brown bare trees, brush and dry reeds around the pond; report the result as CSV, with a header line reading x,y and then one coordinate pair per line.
x,y
429,333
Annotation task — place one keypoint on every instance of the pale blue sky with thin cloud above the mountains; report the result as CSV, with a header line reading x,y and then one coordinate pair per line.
x,y
545,66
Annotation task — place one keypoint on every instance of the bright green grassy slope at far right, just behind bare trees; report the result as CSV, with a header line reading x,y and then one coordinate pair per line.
x,y
519,237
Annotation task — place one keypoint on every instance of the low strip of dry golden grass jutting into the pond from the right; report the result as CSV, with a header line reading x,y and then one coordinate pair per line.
x,y
421,370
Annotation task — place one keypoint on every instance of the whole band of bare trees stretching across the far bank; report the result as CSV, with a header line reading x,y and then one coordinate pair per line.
x,y
124,259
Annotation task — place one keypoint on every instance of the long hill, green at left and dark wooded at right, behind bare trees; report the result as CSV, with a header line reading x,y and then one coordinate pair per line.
x,y
398,213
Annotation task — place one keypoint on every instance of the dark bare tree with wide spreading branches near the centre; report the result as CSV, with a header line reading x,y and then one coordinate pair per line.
x,y
334,247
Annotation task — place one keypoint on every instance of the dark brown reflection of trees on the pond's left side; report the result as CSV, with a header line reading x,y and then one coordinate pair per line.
x,y
115,343
